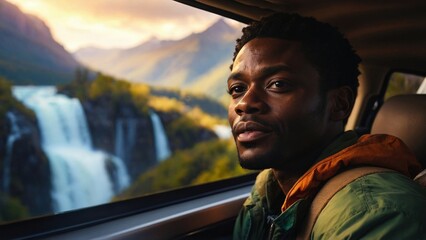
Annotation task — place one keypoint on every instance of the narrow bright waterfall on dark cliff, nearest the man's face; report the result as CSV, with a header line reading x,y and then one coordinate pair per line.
x,y
162,148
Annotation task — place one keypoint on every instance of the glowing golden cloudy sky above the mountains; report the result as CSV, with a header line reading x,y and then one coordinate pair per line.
x,y
115,23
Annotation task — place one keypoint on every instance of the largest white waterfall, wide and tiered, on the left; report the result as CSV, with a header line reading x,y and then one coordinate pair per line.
x,y
81,175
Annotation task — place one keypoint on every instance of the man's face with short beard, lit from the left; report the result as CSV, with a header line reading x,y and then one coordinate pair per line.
x,y
277,114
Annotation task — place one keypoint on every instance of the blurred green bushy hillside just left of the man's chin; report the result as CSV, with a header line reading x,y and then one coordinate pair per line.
x,y
205,162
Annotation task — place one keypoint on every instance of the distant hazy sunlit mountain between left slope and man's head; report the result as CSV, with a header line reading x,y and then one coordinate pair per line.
x,y
197,62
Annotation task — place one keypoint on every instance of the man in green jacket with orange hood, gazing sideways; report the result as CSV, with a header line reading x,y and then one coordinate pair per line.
x,y
293,83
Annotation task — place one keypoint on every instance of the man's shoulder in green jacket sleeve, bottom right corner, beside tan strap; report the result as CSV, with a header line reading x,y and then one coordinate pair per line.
x,y
386,200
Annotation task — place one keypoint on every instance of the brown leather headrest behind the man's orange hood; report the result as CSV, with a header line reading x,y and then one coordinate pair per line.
x,y
404,116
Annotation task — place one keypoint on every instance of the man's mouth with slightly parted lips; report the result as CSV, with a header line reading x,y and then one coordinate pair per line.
x,y
250,131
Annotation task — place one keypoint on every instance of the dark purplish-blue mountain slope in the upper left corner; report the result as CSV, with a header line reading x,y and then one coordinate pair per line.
x,y
28,52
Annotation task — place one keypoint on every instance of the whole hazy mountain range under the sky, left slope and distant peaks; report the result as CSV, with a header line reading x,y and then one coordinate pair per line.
x,y
199,62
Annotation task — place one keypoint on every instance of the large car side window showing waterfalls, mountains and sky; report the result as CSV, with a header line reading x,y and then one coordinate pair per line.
x,y
109,100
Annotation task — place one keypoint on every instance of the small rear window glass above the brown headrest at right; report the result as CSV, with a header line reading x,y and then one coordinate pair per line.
x,y
404,83
